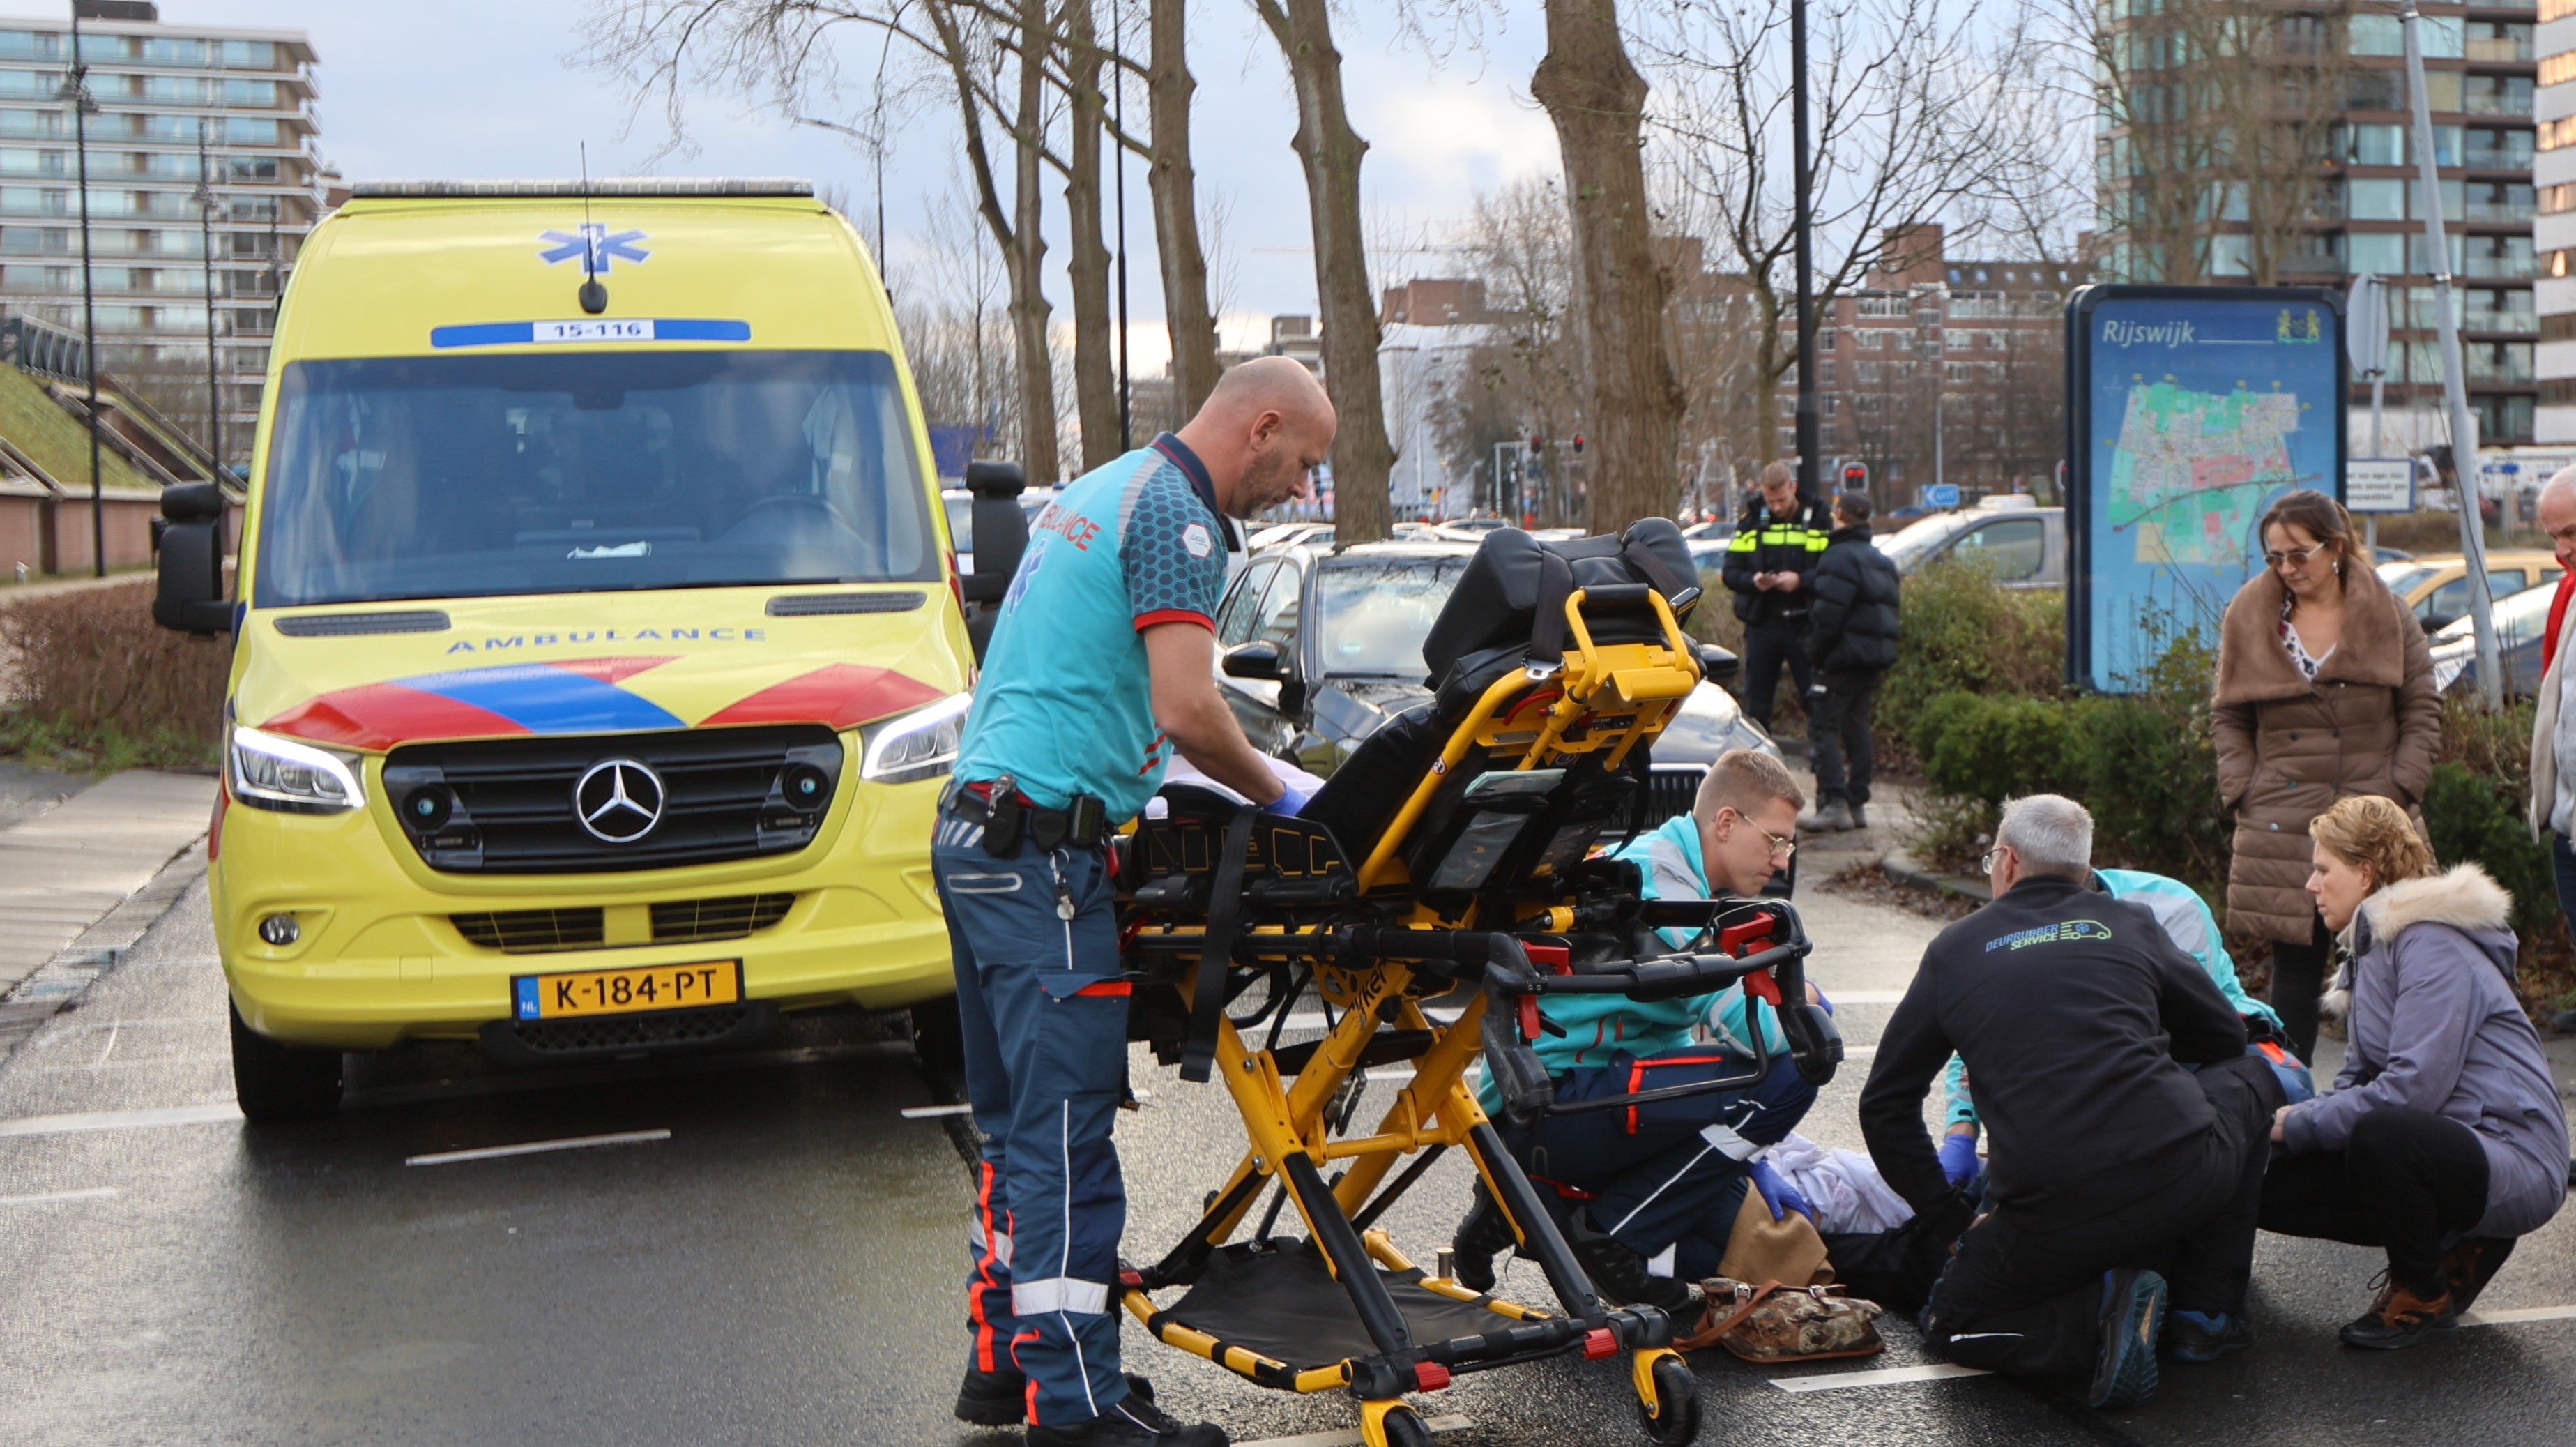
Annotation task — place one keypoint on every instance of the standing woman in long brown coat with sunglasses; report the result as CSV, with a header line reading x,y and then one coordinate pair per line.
x,y
2325,689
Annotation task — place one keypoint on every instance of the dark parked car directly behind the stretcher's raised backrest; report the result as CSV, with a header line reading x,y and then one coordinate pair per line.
x,y
1320,648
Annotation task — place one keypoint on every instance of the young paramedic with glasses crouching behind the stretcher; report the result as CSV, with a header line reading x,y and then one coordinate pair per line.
x,y
1650,1196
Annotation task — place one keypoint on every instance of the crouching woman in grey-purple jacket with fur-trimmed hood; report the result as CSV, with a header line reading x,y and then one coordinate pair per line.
x,y
2443,1137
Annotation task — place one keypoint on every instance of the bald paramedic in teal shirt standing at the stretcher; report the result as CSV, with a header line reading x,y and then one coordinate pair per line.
x,y
1099,668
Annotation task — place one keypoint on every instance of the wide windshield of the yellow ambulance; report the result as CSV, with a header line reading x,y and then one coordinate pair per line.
x,y
583,472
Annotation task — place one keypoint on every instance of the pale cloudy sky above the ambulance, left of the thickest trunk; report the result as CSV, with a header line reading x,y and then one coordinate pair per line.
x,y
486,89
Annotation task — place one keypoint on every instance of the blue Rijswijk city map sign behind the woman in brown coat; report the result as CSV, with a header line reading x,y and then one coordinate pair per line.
x,y
2188,411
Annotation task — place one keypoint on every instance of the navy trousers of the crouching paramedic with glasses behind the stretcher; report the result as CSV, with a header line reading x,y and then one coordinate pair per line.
x,y
1665,1178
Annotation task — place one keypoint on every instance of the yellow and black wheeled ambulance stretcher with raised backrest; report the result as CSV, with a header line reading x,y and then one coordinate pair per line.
x,y
1377,949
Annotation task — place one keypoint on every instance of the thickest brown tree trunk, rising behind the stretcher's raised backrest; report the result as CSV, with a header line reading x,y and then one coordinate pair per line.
x,y
1632,395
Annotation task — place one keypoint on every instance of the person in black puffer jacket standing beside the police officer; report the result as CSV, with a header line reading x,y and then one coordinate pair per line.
x,y
1851,632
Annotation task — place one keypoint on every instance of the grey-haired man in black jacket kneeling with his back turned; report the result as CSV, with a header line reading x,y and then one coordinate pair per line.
x,y
2119,1183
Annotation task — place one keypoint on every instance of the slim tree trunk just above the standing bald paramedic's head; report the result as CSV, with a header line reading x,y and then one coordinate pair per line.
x,y
1331,153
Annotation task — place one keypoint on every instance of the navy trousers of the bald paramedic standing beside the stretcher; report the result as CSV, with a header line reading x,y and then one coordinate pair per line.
x,y
1045,1023
